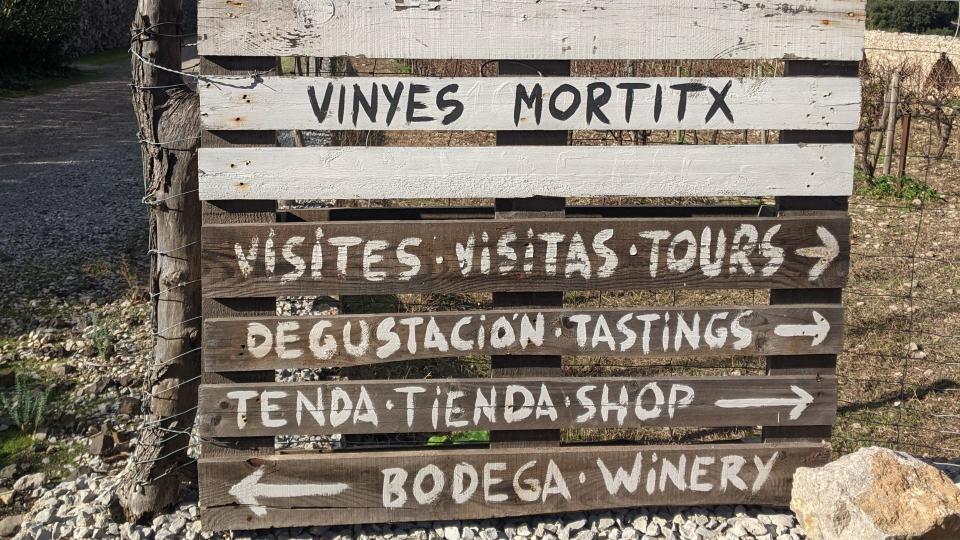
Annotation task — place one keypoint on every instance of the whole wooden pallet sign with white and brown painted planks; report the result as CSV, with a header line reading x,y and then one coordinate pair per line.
x,y
526,250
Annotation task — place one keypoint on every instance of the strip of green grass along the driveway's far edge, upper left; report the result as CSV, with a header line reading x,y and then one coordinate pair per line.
x,y
39,80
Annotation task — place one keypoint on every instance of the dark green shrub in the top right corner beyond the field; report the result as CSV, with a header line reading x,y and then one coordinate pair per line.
x,y
913,17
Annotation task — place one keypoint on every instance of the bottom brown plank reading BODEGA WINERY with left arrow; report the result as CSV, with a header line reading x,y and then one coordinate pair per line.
x,y
299,490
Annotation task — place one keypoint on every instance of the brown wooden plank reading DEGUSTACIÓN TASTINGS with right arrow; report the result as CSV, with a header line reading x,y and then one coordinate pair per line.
x,y
257,343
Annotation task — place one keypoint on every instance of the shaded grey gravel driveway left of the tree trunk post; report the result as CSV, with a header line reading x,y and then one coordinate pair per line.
x,y
70,180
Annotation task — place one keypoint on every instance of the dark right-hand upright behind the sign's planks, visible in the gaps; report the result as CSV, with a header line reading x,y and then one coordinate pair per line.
x,y
811,364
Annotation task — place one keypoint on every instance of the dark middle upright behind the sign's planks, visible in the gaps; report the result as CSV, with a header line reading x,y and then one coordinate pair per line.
x,y
535,207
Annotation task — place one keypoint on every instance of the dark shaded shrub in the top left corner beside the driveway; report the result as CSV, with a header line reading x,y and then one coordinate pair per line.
x,y
33,32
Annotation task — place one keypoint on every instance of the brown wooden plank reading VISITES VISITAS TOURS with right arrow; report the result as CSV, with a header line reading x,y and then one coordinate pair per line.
x,y
529,255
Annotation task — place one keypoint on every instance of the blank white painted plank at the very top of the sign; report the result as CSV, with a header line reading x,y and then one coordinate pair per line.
x,y
532,29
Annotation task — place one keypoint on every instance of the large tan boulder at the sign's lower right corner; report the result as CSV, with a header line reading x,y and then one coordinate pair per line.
x,y
876,494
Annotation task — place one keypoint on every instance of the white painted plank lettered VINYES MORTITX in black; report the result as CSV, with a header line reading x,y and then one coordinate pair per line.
x,y
531,103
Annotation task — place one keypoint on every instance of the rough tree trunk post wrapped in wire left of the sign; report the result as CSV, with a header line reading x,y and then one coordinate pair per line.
x,y
167,112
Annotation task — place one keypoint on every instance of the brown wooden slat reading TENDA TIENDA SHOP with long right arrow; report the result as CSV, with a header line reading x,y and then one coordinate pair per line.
x,y
417,406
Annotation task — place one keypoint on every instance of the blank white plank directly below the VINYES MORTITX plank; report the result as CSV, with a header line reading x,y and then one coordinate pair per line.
x,y
472,172
